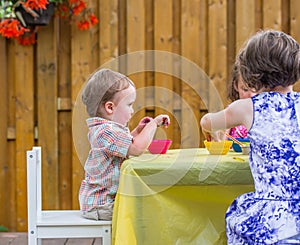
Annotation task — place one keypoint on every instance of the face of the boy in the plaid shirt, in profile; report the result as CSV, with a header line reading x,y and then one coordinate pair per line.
x,y
123,102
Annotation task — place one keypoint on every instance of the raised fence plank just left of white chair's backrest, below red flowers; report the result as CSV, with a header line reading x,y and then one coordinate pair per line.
x,y
24,125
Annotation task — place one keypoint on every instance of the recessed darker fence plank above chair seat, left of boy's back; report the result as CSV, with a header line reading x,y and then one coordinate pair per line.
x,y
65,117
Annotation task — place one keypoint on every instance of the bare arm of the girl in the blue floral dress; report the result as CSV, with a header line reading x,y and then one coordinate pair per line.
x,y
237,113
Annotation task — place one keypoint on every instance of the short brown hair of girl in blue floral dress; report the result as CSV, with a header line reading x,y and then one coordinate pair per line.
x,y
270,59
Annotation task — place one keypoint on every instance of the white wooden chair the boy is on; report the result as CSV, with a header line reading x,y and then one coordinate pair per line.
x,y
56,223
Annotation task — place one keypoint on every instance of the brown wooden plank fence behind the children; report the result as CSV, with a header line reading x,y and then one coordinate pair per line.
x,y
194,43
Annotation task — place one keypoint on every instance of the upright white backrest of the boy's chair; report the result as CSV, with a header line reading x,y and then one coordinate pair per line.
x,y
34,184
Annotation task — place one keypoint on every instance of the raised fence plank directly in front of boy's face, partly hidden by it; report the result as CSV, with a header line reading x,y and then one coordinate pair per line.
x,y
136,63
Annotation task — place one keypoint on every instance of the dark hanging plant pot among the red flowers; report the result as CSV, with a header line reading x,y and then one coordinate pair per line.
x,y
43,15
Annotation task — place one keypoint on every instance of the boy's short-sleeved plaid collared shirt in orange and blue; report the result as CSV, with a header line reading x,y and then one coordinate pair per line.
x,y
109,142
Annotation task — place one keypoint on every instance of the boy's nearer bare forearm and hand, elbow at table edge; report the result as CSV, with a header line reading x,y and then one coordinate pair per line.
x,y
143,139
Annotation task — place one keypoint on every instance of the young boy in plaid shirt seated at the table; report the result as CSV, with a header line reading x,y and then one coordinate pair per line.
x,y
109,97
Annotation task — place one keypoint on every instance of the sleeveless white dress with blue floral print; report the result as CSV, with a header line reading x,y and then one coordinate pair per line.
x,y
272,212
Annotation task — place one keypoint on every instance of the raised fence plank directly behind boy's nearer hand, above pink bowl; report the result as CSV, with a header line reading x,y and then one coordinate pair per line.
x,y
163,40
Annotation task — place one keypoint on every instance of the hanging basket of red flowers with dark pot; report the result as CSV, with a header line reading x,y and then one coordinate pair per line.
x,y
19,18
